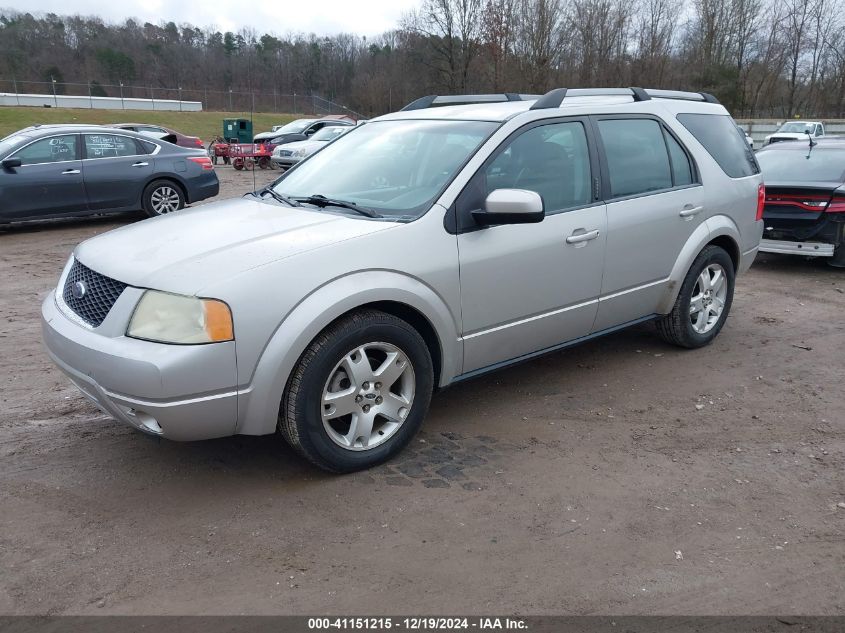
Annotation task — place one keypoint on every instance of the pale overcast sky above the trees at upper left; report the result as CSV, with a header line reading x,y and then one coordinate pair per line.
x,y
364,17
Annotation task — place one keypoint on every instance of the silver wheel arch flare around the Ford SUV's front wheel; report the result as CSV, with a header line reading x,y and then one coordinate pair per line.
x,y
259,403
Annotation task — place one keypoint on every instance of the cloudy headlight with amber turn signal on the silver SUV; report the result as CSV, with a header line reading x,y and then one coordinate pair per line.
x,y
169,318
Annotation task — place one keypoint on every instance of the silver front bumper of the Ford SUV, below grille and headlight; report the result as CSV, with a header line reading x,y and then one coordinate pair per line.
x,y
180,392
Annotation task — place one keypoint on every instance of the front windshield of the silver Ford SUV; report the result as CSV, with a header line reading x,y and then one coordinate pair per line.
x,y
396,168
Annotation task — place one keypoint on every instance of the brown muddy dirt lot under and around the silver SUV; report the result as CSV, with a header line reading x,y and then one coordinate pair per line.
x,y
622,476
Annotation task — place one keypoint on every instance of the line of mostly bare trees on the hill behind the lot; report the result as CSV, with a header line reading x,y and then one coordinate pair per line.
x,y
761,58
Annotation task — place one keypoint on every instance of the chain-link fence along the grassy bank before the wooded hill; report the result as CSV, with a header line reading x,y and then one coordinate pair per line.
x,y
214,100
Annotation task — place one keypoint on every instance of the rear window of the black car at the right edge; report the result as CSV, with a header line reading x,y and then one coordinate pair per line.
x,y
819,165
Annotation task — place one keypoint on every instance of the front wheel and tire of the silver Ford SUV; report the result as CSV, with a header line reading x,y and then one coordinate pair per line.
x,y
359,392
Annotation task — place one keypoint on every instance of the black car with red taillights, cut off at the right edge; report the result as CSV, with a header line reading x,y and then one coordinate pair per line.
x,y
804,210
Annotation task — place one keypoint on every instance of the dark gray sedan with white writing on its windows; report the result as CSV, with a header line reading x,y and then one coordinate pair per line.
x,y
53,171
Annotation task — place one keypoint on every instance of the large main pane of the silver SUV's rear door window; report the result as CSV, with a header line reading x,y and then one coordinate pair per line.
x,y
636,154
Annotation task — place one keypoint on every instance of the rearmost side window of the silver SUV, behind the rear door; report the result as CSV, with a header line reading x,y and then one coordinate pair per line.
x,y
723,141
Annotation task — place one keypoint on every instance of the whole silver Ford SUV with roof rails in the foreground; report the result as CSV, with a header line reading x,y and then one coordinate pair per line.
x,y
426,247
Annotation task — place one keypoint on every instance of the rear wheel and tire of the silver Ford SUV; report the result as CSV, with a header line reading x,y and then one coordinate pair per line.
x,y
703,304
